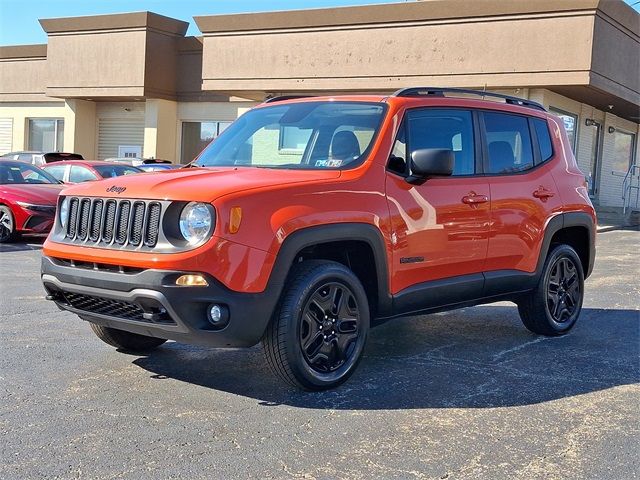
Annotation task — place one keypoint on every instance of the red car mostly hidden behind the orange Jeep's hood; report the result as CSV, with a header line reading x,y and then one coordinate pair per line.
x,y
78,171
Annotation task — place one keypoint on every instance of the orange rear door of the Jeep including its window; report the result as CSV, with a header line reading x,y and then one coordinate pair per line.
x,y
518,161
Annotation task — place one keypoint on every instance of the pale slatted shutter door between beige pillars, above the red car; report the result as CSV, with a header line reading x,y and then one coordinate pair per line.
x,y
119,124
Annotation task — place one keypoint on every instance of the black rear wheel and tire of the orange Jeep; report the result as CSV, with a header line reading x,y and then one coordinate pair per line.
x,y
553,308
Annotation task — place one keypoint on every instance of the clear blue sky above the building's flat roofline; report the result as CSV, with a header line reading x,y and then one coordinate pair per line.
x,y
19,18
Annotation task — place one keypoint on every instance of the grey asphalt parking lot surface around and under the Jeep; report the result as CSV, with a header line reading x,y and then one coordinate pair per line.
x,y
460,395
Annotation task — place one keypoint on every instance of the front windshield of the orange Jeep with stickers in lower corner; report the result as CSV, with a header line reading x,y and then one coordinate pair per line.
x,y
312,135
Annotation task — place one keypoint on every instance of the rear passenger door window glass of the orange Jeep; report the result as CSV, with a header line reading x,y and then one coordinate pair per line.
x,y
508,142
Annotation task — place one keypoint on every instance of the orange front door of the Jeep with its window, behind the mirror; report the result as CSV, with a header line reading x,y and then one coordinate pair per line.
x,y
440,227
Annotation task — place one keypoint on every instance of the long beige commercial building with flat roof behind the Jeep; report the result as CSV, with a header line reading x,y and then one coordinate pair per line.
x,y
135,85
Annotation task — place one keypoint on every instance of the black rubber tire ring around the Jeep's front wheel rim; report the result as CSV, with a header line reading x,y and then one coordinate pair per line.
x,y
300,367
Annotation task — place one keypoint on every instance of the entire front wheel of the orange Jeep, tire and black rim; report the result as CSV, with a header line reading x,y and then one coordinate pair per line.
x,y
316,337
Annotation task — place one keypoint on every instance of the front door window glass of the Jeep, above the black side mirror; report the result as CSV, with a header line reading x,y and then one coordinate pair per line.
x,y
444,128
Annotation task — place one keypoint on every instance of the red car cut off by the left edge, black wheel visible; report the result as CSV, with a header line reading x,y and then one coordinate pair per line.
x,y
28,199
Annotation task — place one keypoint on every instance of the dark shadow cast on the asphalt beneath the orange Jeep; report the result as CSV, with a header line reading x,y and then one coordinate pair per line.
x,y
479,357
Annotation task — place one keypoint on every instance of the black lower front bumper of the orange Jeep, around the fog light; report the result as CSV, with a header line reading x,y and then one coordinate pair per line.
x,y
148,302
